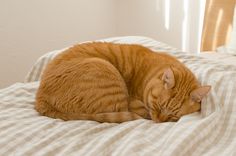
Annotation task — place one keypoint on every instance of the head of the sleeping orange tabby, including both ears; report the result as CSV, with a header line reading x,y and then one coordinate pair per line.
x,y
175,95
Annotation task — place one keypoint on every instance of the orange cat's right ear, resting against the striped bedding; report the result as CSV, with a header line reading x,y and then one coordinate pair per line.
x,y
198,94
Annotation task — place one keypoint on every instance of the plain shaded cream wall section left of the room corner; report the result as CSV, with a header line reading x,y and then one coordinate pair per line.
x,y
30,28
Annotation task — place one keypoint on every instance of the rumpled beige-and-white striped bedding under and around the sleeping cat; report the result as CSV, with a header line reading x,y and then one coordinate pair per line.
x,y
209,132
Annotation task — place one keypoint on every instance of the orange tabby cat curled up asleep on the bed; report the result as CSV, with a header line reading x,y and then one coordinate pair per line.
x,y
108,82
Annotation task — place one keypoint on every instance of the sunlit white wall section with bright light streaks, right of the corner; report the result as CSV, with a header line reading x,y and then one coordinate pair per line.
x,y
175,22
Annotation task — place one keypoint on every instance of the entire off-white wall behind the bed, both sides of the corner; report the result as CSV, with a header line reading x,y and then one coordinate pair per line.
x,y
30,28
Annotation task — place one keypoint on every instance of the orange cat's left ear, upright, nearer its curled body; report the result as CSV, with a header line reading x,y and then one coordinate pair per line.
x,y
168,79
